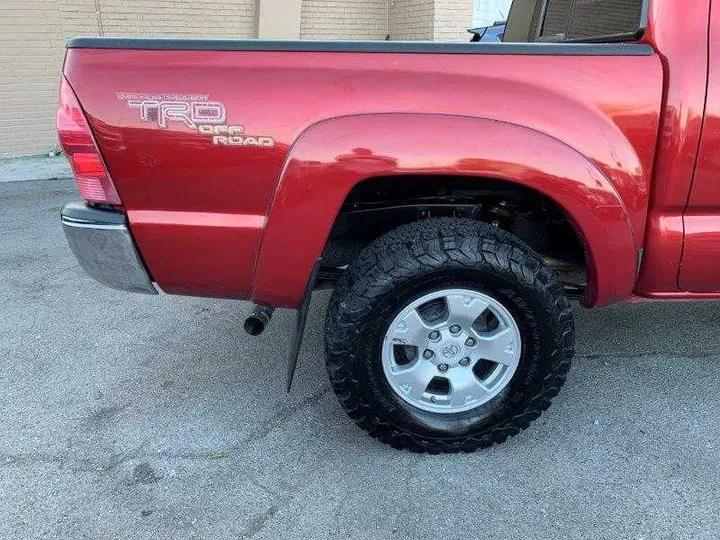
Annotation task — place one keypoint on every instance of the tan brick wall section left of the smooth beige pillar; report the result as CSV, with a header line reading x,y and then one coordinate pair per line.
x,y
33,35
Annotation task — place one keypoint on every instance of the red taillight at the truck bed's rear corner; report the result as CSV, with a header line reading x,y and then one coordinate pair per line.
x,y
91,176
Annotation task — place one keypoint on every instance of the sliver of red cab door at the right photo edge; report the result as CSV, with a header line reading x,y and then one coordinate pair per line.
x,y
699,270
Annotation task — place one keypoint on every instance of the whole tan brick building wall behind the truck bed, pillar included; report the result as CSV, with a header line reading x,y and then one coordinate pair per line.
x,y
33,35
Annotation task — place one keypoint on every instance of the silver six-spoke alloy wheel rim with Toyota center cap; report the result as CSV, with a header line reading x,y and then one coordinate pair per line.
x,y
433,345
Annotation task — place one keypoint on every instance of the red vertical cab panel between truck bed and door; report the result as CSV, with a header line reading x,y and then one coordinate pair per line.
x,y
679,32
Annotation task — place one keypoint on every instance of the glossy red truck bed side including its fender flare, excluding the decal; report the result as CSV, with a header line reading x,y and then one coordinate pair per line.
x,y
196,209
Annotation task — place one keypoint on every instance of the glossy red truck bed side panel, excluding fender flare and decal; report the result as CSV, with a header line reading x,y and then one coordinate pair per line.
x,y
197,210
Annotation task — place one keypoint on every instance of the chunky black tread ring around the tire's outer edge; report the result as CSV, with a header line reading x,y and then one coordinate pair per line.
x,y
426,246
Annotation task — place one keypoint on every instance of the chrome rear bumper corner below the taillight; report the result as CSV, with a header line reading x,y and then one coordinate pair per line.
x,y
101,243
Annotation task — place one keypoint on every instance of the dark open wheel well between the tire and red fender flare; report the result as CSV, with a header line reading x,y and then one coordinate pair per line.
x,y
378,205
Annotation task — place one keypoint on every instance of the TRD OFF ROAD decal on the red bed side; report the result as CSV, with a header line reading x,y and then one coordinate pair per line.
x,y
195,111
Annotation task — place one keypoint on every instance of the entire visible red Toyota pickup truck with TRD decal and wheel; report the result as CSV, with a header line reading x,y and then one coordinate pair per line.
x,y
456,196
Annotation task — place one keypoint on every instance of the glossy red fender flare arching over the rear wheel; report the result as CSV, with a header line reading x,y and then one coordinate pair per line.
x,y
333,156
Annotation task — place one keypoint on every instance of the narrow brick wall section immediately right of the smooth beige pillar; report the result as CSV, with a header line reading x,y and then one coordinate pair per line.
x,y
344,19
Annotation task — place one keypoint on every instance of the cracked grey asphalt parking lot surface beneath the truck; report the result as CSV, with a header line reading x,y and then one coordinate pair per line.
x,y
126,416
